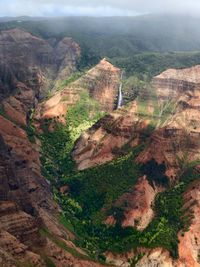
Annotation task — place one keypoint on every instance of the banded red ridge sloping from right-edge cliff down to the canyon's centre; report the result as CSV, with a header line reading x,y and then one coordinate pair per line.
x,y
173,91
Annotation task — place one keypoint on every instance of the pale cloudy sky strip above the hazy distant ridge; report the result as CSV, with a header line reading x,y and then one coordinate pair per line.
x,y
96,7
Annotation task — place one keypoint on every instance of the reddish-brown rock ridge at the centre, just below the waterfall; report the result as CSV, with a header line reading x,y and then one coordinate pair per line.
x,y
101,143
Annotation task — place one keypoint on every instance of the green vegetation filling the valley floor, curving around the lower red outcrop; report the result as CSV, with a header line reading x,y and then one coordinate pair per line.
x,y
92,193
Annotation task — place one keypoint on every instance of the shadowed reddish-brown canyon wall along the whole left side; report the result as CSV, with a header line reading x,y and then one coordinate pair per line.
x,y
27,64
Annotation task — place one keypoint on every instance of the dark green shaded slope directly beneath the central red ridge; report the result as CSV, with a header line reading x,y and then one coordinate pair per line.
x,y
94,190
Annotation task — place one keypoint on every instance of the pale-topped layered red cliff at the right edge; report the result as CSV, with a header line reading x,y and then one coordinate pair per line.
x,y
179,137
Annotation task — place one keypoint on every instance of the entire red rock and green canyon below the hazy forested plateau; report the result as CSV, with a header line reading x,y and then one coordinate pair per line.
x,y
83,183
